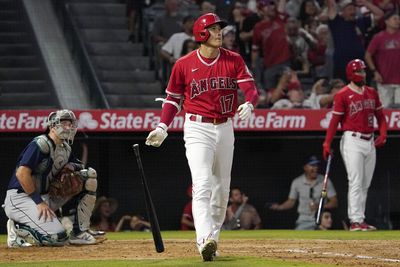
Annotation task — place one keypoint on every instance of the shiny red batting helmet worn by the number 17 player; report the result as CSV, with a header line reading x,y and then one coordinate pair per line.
x,y
200,26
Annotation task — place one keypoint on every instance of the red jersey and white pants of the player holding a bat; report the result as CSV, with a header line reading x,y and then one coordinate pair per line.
x,y
357,144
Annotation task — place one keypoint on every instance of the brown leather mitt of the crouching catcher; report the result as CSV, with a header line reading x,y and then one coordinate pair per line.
x,y
68,183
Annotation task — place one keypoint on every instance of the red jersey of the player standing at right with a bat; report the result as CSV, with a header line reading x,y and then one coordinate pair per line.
x,y
357,109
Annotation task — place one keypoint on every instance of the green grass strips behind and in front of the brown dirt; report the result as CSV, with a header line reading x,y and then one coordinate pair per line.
x,y
222,261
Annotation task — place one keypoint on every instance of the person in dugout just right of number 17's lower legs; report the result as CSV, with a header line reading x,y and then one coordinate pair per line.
x,y
240,214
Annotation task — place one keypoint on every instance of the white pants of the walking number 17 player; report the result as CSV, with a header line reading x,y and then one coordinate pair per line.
x,y
209,151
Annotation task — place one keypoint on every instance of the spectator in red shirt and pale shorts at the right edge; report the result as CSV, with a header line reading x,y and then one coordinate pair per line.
x,y
383,59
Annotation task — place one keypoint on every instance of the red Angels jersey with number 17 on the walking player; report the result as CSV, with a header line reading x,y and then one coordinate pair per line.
x,y
209,89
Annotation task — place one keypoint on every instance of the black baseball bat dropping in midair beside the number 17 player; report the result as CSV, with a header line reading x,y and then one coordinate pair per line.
x,y
151,211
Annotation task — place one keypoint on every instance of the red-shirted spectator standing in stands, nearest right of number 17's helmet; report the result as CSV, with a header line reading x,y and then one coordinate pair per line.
x,y
269,38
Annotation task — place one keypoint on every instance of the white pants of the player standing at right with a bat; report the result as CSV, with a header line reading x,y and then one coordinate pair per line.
x,y
359,158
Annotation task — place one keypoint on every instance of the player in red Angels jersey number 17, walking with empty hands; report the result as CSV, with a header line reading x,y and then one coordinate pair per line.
x,y
206,82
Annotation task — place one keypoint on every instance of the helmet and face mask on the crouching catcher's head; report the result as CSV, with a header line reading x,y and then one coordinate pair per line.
x,y
58,120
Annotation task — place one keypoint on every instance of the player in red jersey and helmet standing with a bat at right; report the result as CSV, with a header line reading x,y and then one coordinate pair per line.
x,y
355,107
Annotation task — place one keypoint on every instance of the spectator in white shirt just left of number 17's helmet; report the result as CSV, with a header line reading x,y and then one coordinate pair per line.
x,y
172,49
